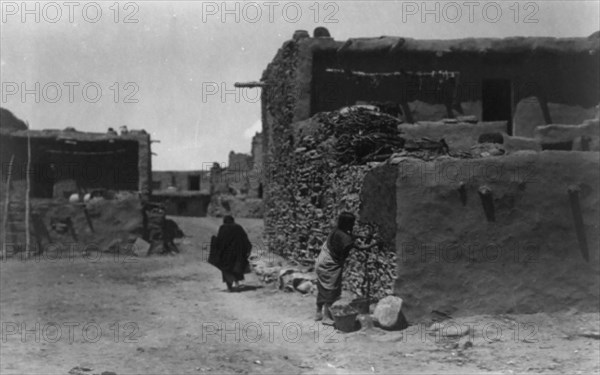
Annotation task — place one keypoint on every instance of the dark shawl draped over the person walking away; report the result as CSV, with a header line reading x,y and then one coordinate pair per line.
x,y
230,249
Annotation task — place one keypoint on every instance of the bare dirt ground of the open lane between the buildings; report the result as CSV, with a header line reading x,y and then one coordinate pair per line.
x,y
172,315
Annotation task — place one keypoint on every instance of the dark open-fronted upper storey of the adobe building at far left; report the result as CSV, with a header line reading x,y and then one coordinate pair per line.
x,y
68,161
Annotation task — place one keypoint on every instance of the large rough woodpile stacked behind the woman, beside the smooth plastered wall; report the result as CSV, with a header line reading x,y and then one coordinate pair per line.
x,y
319,173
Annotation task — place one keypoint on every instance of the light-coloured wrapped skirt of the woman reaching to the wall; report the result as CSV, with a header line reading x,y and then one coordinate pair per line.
x,y
329,277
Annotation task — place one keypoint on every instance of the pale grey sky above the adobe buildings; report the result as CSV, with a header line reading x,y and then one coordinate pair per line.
x,y
169,66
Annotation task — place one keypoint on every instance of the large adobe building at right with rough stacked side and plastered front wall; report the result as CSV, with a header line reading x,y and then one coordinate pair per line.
x,y
538,97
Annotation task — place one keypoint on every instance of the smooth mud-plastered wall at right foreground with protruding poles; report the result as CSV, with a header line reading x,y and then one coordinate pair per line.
x,y
528,258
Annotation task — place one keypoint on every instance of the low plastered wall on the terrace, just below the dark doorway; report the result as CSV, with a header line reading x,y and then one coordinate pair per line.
x,y
459,137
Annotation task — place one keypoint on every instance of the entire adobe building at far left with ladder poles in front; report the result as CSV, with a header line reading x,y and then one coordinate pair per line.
x,y
115,168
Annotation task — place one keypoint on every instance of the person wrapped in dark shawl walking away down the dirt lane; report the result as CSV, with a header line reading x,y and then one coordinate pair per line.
x,y
231,251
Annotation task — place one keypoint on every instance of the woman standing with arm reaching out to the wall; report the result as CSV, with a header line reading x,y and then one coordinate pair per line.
x,y
329,265
